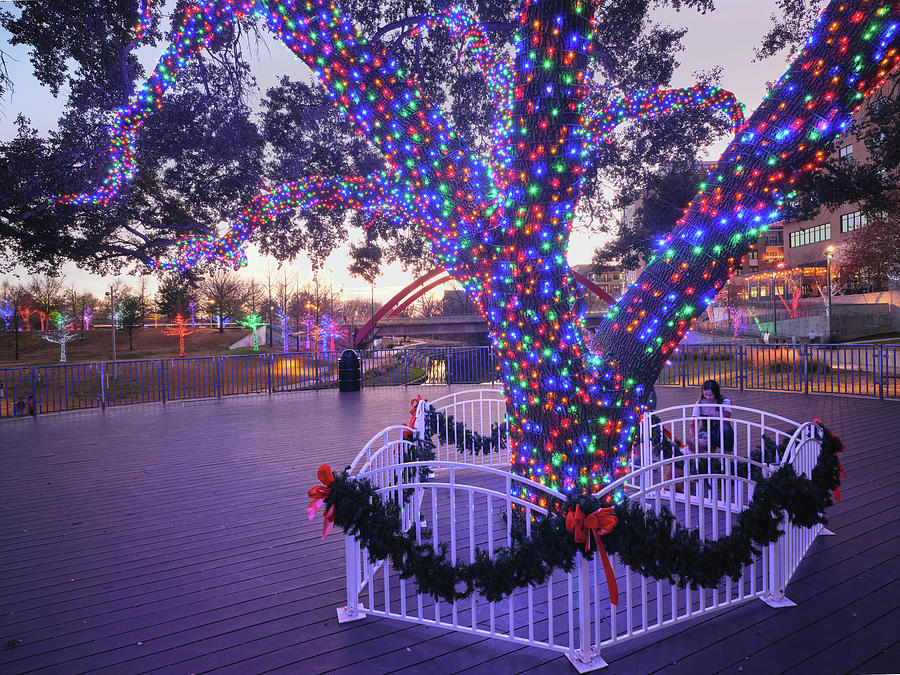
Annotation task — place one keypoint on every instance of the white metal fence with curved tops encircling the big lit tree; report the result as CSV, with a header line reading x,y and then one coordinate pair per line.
x,y
469,505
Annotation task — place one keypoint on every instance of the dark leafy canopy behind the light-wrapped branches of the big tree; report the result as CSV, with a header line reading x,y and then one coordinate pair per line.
x,y
212,128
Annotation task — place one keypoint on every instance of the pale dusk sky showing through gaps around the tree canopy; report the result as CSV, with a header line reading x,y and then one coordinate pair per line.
x,y
725,37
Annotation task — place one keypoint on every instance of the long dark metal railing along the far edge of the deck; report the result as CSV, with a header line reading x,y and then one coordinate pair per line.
x,y
861,370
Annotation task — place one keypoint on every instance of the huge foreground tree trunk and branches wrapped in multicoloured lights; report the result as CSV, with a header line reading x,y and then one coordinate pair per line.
x,y
499,221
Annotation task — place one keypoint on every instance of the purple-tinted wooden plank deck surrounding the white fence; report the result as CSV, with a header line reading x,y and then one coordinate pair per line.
x,y
175,538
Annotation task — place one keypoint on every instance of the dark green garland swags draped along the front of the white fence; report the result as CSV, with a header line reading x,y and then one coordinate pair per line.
x,y
652,544
